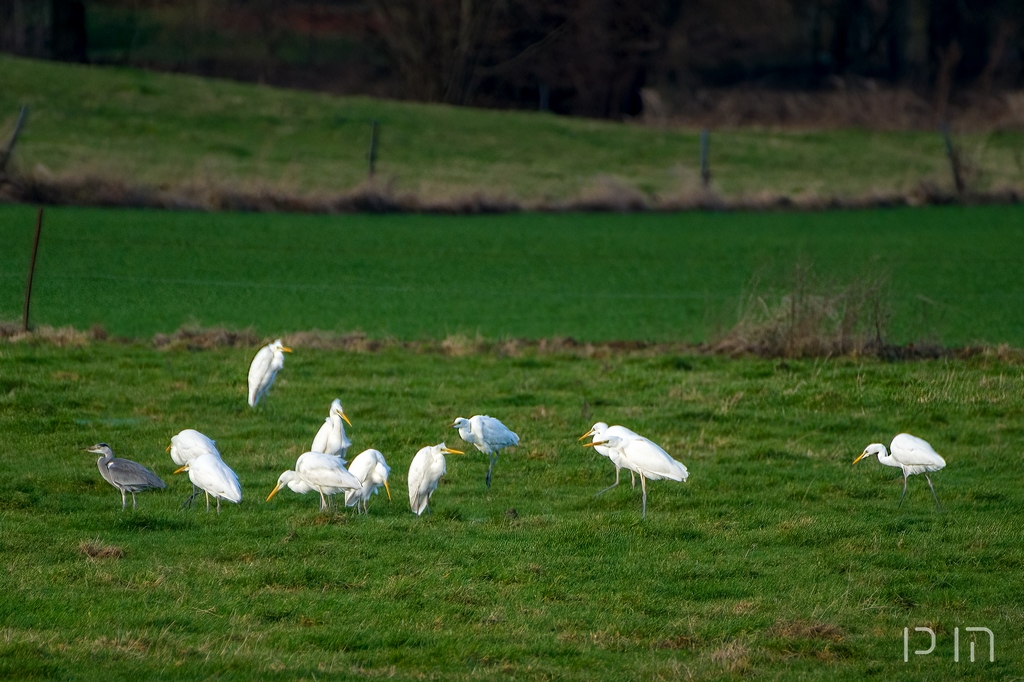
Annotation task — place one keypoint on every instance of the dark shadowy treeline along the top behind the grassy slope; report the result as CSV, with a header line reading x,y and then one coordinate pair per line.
x,y
593,58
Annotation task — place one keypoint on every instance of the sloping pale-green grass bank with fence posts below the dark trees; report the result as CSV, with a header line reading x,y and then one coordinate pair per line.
x,y
163,131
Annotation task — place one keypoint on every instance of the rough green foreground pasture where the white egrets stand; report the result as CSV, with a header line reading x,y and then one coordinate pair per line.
x,y
777,561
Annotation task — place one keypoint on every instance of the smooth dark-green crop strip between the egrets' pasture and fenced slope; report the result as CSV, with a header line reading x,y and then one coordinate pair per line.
x,y
952,275
